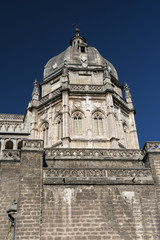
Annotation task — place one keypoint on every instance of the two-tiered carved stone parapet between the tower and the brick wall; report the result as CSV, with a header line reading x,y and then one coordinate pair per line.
x,y
95,166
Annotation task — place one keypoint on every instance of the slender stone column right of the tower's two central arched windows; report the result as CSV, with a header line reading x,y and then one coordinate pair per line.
x,y
111,121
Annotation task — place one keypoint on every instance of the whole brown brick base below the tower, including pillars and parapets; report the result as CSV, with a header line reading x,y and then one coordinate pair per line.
x,y
75,194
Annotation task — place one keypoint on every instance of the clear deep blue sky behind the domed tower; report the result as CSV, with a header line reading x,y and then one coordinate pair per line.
x,y
127,33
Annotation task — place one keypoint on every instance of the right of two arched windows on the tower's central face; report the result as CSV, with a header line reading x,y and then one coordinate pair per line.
x,y
98,124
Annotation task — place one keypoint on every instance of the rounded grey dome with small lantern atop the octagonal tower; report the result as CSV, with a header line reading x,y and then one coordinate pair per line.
x,y
72,56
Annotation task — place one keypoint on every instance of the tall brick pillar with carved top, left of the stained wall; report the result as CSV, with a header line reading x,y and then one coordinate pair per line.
x,y
28,221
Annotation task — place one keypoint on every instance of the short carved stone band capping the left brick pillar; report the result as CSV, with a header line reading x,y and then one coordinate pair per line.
x,y
32,144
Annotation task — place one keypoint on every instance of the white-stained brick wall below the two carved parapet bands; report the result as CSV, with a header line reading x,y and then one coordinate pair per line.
x,y
99,212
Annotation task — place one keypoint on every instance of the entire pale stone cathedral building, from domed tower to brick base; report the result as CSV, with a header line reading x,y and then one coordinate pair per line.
x,y
71,167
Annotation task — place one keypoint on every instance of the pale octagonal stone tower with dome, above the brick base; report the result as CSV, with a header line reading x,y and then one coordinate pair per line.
x,y
81,102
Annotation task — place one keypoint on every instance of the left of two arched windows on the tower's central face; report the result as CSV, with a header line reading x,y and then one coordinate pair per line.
x,y
77,123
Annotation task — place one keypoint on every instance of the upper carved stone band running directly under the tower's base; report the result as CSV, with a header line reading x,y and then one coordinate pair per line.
x,y
97,153
